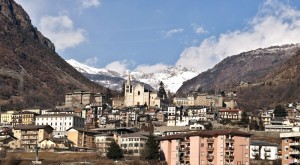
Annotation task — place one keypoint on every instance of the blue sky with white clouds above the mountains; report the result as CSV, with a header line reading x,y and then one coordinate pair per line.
x,y
149,35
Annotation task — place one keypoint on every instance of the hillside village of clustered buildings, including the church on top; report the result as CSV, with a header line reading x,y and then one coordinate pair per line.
x,y
212,124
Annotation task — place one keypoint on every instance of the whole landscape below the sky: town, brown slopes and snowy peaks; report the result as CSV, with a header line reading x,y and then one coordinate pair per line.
x,y
245,110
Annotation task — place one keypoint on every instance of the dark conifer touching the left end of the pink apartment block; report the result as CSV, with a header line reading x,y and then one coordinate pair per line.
x,y
151,150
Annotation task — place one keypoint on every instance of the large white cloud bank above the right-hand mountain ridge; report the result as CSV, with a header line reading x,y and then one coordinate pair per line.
x,y
275,24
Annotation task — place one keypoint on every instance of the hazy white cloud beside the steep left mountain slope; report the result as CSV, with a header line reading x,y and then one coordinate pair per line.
x,y
61,31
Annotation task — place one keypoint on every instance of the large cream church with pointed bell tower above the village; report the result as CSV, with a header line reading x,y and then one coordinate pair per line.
x,y
137,94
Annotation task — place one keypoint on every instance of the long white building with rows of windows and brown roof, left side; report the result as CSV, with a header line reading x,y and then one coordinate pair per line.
x,y
60,122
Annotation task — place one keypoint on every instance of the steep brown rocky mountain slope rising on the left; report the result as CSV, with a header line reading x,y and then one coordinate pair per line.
x,y
31,72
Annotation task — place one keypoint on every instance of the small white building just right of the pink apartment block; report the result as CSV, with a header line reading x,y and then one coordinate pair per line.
x,y
264,150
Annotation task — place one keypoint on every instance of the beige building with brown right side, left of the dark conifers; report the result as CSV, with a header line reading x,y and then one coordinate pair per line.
x,y
82,138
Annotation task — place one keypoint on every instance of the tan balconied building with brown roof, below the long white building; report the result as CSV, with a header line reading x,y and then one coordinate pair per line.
x,y
29,136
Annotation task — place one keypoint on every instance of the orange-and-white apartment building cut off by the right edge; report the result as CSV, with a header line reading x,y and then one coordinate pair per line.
x,y
290,148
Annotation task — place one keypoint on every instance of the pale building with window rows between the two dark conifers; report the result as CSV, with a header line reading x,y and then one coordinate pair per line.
x,y
133,143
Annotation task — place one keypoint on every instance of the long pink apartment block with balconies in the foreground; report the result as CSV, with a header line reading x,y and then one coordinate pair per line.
x,y
224,147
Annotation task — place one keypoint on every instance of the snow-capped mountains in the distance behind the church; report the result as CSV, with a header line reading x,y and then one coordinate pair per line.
x,y
172,76
